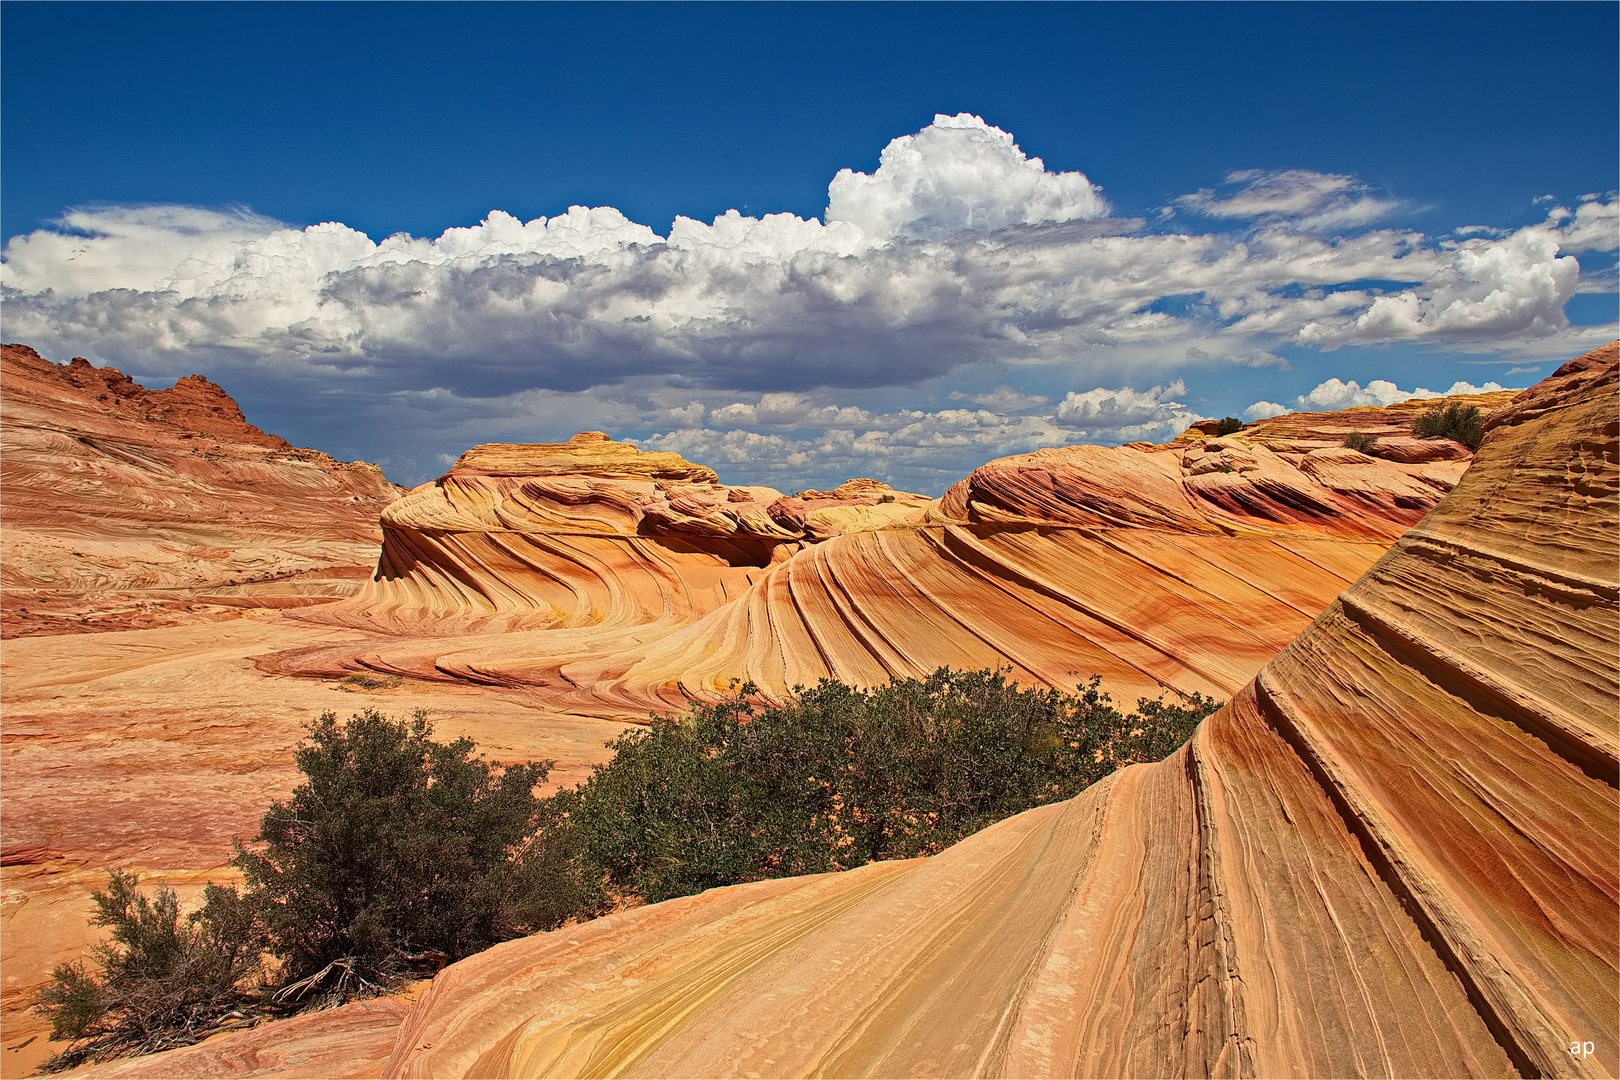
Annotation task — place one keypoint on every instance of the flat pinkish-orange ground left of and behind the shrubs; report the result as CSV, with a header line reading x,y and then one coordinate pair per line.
x,y
151,749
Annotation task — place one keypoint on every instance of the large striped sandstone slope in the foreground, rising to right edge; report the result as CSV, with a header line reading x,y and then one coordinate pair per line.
x,y
1392,854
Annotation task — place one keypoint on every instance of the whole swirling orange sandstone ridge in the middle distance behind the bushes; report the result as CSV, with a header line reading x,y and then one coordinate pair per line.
x,y
612,582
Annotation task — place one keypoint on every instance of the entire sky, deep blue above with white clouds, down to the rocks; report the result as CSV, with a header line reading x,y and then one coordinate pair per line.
x,y
1294,193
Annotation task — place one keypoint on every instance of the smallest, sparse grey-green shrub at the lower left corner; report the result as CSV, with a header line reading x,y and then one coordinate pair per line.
x,y
161,980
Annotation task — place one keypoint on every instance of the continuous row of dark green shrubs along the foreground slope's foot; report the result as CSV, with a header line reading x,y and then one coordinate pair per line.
x,y
399,854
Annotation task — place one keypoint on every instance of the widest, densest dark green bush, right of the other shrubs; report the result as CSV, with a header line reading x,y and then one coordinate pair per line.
x,y
838,776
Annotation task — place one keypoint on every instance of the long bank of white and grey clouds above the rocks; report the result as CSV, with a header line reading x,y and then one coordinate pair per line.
x,y
770,338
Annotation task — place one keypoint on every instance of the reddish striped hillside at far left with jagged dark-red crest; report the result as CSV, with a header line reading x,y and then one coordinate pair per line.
x,y
126,508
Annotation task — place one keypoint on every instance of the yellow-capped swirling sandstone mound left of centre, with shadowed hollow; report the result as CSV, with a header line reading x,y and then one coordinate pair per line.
x,y
589,534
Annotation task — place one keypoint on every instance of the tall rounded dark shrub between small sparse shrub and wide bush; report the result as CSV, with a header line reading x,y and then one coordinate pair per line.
x,y
394,853
